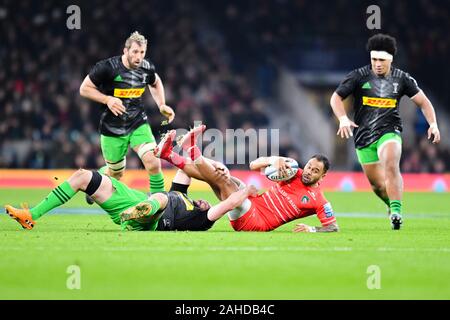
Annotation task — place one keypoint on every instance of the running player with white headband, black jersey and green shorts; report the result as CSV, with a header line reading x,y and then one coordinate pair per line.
x,y
377,90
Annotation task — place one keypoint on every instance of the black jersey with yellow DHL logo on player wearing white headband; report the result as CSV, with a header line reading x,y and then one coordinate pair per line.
x,y
376,101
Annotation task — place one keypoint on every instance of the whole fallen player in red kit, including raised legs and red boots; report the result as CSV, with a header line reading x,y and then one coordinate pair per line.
x,y
285,201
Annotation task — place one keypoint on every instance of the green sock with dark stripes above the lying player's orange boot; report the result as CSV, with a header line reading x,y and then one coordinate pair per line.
x,y
55,198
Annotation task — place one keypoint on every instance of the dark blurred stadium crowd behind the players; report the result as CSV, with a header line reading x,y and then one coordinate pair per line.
x,y
219,62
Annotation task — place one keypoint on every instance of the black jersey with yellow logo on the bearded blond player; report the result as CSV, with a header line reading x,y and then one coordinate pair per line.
x,y
112,78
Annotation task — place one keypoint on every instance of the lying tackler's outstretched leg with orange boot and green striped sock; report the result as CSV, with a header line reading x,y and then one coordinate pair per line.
x,y
80,180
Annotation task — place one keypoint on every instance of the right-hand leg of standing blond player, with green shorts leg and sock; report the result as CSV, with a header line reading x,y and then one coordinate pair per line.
x,y
143,143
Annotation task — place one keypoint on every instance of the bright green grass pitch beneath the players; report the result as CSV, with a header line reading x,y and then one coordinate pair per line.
x,y
223,264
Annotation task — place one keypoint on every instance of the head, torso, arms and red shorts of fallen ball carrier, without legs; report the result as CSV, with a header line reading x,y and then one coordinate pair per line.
x,y
285,201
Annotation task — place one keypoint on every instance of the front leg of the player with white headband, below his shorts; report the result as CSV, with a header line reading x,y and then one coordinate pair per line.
x,y
390,153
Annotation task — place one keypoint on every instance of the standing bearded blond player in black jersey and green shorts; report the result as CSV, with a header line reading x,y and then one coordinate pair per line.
x,y
118,83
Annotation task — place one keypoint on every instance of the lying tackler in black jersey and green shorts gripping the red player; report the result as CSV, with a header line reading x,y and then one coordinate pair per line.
x,y
135,210
